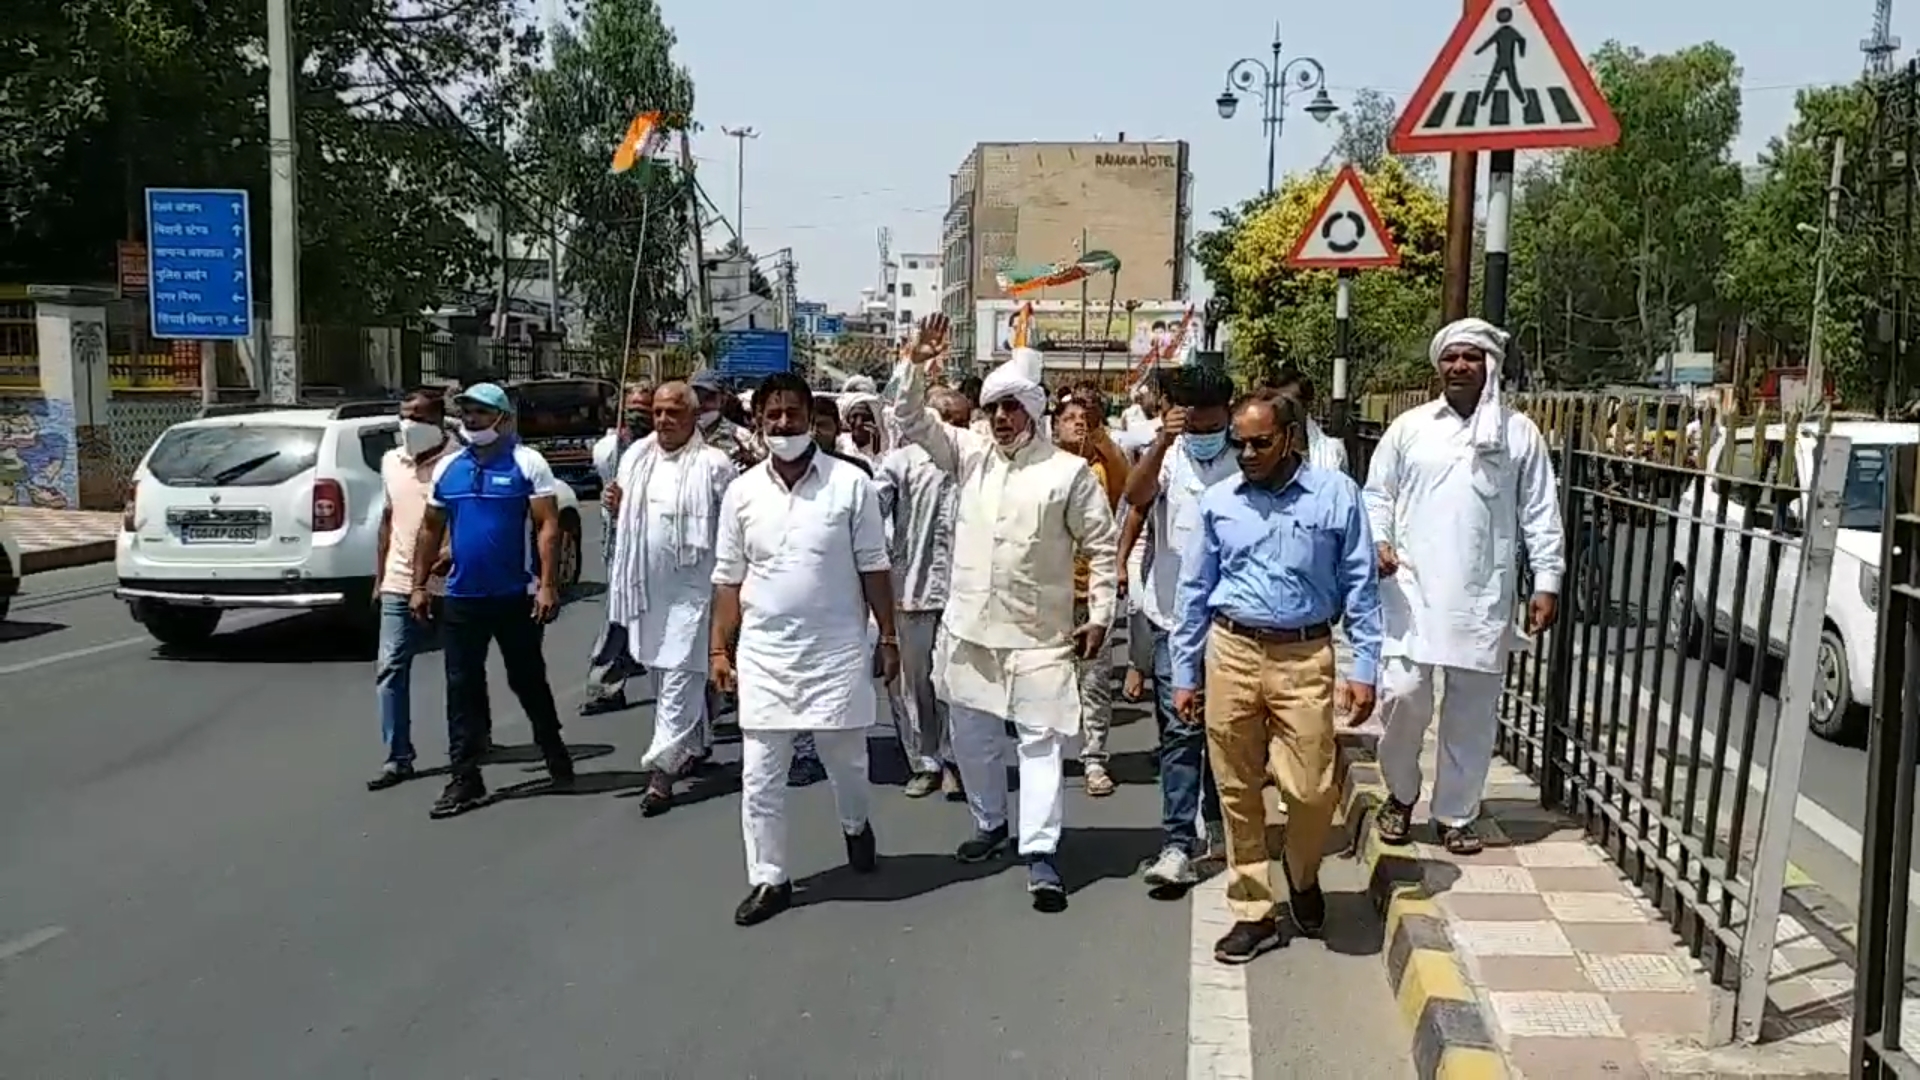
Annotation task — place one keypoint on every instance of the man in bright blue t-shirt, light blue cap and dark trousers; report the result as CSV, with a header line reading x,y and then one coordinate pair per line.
x,y
481,503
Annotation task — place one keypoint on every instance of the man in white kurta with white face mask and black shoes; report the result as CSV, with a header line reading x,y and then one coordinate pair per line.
x,y
802,564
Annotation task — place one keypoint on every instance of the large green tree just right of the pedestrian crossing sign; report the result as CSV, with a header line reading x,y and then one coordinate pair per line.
x,y
1614,245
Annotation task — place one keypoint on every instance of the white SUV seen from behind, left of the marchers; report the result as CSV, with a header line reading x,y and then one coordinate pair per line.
x,y
274,510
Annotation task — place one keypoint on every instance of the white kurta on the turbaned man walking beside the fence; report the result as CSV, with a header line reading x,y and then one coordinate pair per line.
x,y
1454,516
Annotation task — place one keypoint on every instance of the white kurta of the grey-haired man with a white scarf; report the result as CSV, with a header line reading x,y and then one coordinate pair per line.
x,y
673,629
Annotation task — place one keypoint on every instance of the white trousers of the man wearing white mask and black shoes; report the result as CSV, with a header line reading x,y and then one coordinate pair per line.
x,y
763,800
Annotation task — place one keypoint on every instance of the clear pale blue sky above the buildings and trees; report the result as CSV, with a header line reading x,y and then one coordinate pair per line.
x,y
865,109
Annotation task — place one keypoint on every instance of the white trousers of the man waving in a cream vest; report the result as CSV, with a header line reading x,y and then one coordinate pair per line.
x,y
980,747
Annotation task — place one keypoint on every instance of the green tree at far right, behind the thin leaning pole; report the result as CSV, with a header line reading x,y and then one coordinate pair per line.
x,y
1773,241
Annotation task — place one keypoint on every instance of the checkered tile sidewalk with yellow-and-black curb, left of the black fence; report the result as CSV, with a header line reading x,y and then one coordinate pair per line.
x,y
1539,960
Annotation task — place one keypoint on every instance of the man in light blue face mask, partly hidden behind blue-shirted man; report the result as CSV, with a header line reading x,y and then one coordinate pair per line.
x,y
1164,497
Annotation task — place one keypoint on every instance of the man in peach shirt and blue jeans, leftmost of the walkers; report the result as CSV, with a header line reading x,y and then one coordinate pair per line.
x,y
406,474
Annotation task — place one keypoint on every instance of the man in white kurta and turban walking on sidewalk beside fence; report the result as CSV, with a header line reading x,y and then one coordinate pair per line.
x,y
1452,489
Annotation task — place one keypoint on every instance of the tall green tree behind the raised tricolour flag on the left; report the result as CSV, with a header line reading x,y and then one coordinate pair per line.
x,y
619,64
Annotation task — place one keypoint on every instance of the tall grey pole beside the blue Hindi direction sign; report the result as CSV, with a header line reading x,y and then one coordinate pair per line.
x,y
283,333
